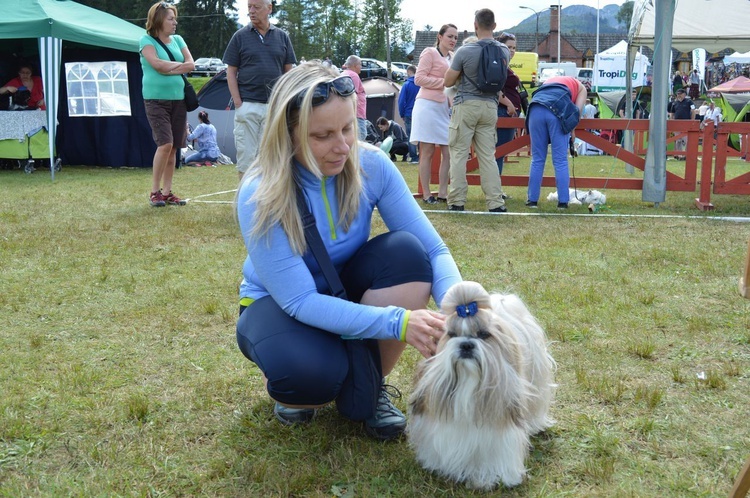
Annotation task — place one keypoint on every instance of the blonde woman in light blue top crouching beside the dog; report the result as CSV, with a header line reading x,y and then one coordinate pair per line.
x,y
313,348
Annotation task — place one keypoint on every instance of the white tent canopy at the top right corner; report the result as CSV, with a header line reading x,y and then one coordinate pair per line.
x,y
711,24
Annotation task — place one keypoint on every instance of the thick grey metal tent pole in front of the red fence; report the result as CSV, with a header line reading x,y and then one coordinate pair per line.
x,y
655,171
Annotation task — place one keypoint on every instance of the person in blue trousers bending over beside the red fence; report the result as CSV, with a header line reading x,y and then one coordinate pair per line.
x,y
554,112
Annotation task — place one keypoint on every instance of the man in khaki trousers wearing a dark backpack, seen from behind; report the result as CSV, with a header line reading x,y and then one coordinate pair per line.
x,y
482,68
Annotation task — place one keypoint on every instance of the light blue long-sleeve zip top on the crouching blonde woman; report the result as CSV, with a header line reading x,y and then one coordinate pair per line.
x,y
272,268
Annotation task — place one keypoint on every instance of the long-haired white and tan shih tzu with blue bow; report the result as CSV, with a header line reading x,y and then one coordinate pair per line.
x,y
488,388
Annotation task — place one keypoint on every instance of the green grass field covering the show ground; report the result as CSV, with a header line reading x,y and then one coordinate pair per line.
x,y
120,374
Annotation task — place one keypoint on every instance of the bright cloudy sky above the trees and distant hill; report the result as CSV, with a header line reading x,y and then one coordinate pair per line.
x,y
438,12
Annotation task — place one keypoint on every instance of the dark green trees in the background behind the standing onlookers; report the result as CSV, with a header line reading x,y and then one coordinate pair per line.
x,y
317,28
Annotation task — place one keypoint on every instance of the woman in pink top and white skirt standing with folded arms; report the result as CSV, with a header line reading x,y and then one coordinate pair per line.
x,y
431,114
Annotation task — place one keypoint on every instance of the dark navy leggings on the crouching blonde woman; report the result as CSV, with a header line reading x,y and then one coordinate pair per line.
x,y
305,365
